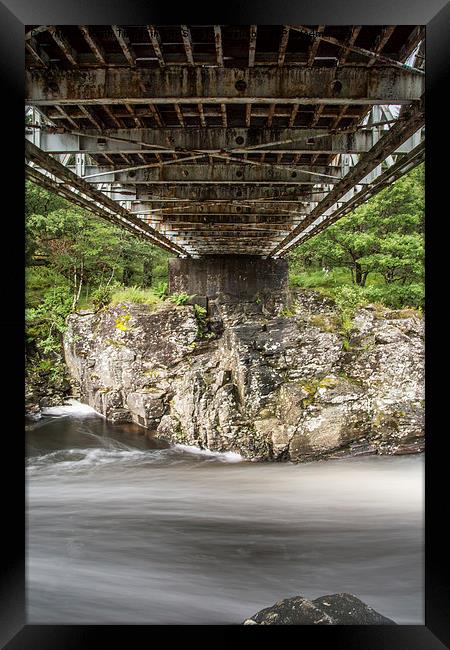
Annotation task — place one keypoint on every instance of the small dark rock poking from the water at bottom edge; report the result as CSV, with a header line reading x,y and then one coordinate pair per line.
x,y
336,609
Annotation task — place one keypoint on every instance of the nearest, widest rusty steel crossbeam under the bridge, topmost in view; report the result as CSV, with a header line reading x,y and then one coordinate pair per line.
x,y
285,84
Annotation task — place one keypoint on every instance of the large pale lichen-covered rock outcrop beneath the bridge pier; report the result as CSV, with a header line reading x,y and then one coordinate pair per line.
x,y
269,383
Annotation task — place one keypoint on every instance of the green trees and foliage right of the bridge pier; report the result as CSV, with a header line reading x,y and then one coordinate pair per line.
x,y
378,248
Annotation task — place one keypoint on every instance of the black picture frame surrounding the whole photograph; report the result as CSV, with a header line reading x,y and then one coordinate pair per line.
x,y
15,634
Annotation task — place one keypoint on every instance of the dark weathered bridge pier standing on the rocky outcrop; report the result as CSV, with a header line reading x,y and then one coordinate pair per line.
x,y
241,276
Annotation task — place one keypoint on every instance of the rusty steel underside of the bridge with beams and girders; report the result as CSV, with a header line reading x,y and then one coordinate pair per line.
x,y
219,140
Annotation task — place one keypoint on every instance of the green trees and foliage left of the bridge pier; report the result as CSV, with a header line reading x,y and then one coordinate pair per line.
x,y
84,250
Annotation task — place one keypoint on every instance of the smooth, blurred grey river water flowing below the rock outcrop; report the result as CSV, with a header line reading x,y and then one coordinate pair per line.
x,y
125,530
